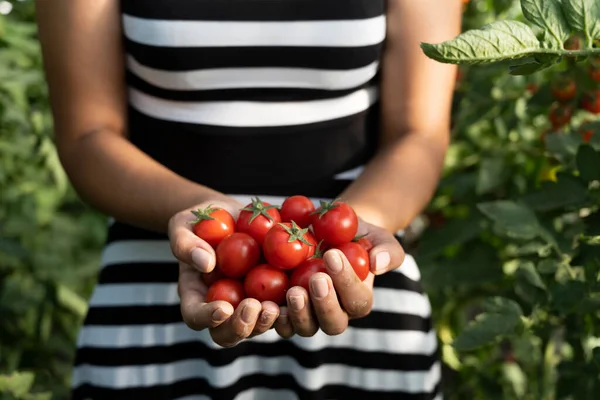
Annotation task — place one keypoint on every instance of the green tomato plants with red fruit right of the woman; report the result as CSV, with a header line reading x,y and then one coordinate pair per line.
x,y
512,256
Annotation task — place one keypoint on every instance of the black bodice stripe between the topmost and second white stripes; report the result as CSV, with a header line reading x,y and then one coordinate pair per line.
x,y
192,58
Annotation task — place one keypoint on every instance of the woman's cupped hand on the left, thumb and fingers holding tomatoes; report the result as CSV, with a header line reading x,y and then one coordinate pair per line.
x,y
227,327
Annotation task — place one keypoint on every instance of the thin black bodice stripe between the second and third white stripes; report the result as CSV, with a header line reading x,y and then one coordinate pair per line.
x,y
253,94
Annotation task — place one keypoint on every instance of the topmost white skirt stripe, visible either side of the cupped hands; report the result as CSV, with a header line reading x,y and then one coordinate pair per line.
x,y
145,251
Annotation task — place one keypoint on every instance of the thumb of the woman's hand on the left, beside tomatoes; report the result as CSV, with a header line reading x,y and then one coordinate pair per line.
x,y
187,247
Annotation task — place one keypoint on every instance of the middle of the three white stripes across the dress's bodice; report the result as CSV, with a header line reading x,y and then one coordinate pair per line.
x,y
241,78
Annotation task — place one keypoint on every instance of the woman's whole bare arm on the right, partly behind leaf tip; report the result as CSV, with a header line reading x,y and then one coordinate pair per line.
x,y
416,96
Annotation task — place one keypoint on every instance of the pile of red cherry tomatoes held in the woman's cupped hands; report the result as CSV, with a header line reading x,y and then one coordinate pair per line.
x,y
270,248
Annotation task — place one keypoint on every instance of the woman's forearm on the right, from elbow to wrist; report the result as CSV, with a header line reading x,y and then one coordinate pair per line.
x,y
399,182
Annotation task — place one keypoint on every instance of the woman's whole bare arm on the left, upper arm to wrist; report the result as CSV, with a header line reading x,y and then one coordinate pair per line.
x,y
84,63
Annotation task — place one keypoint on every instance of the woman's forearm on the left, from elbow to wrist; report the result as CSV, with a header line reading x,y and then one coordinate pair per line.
x,y
120,180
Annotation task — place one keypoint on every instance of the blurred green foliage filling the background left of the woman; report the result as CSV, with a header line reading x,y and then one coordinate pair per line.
x,y
49,241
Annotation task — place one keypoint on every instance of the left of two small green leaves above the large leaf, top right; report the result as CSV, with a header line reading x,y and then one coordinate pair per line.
x,y
548,15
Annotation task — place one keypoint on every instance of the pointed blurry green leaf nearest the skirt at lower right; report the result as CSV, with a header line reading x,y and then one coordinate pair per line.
x,y
502,317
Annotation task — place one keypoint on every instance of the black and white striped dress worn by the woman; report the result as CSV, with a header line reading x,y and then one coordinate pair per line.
x,y
250,97
